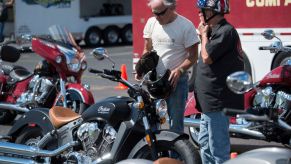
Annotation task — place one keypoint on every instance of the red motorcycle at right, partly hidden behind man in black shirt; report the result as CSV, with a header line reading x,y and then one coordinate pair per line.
x,y
272,94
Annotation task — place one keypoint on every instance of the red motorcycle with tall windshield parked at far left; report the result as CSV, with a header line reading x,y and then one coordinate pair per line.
x,y
55,81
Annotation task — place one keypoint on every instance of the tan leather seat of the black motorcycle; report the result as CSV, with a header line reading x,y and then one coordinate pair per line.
x,y
60,116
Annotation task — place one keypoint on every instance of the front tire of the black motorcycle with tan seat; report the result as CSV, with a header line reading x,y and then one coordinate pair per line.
x,y
181,150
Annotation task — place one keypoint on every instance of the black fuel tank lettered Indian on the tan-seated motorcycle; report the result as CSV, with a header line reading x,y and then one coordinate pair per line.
x,y
112,109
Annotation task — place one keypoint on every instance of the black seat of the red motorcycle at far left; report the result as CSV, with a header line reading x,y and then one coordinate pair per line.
x,y
16,73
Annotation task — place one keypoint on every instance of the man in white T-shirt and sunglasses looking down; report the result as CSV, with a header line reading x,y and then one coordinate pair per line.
x,y
175,39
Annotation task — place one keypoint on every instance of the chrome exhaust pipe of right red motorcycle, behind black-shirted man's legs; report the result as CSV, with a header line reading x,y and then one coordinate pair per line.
x,y
240,129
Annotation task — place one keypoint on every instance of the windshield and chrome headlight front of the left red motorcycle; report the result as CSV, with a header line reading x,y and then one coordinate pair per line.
x,y
66,44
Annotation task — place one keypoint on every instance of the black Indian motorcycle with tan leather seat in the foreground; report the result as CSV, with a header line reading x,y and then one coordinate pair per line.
x,y
109,131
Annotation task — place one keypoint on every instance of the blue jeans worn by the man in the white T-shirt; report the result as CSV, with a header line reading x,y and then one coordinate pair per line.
x,y
176,104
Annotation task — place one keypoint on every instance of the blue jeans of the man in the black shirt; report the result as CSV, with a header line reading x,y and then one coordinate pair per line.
x,y
214,138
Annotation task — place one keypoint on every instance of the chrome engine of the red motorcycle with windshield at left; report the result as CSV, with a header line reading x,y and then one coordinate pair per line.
x,y
39,90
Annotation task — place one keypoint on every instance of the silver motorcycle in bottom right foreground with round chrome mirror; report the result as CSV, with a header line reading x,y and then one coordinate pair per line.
x,y
240,82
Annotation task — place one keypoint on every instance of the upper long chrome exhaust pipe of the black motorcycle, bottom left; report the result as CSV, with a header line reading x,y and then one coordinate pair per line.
x,y
29,151
